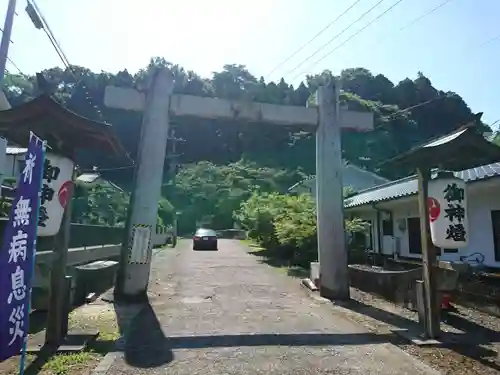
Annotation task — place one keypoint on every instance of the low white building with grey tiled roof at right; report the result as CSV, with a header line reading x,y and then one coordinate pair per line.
x,y
392,211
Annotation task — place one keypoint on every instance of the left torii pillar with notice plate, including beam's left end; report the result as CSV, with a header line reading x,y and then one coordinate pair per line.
x,y
135,264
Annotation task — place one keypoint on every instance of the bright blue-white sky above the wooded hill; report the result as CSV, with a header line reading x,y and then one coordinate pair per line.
x,y
448,46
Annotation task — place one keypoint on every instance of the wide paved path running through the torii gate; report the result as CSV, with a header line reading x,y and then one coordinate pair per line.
x,y
225,313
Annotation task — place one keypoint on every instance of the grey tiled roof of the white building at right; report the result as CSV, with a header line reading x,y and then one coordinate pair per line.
x,y
408,186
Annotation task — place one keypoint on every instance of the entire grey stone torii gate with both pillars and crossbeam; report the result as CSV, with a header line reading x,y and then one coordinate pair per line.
x,y
158,104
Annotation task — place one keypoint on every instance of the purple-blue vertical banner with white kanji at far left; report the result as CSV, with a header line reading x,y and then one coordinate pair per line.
x,y
17,254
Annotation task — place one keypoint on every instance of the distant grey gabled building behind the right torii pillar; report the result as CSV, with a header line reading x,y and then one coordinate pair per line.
x,y
352,176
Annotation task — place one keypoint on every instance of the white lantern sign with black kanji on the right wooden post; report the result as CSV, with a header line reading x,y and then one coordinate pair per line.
x,y
448,211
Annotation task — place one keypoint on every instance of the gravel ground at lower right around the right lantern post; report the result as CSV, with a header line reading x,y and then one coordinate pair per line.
x,y
477,353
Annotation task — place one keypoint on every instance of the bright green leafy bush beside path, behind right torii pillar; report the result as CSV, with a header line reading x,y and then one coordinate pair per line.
x,y
285,225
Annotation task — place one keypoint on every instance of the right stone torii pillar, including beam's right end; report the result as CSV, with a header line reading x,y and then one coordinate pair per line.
x,y
332,247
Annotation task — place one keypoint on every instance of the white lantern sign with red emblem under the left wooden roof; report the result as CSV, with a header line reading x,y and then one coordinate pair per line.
x,y
57,179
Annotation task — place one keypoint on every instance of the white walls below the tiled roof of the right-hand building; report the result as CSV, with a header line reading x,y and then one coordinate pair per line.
x,y
482,199
